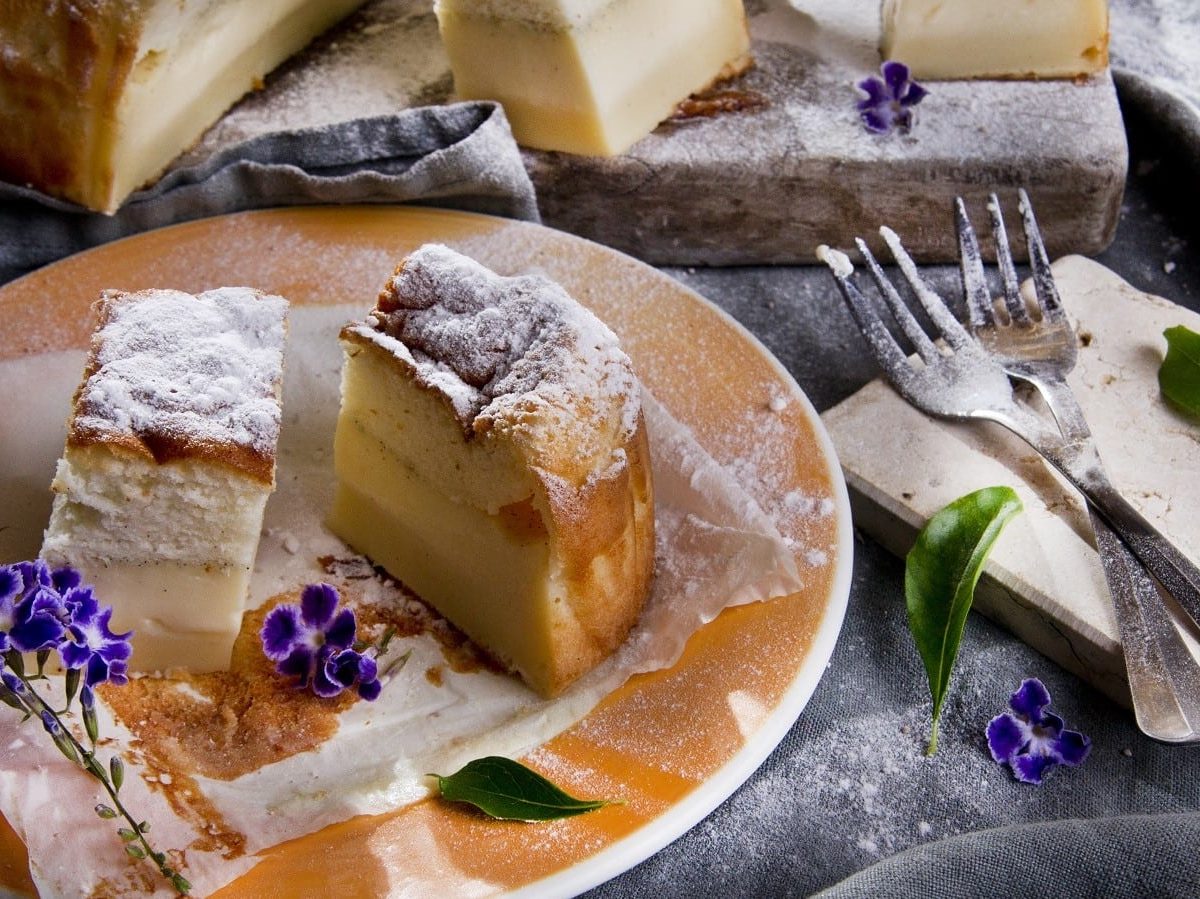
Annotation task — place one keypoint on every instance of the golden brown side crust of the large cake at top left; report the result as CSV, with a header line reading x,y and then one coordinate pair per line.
x,y
58,61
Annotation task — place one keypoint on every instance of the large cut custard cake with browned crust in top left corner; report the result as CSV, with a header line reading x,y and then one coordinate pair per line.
x,y
97,99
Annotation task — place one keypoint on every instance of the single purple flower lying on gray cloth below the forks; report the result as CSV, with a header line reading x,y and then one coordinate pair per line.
x,y
1034,741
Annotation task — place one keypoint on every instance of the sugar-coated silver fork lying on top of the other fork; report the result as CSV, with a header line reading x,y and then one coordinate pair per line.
x,y
964,382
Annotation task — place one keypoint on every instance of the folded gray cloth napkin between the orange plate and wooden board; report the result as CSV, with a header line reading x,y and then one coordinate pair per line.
x,y
461,157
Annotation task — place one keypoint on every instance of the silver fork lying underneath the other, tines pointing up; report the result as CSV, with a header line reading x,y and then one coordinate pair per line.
x,y
1165,681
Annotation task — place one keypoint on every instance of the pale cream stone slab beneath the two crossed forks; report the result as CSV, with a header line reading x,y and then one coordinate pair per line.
x,y
1045,580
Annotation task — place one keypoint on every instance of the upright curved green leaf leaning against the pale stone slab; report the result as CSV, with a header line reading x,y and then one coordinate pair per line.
x,y
941,573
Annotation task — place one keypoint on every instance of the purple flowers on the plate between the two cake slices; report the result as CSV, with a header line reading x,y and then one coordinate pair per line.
x,y
315,643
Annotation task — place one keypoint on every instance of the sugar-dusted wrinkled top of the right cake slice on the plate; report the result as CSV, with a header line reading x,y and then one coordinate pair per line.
x,y
501,347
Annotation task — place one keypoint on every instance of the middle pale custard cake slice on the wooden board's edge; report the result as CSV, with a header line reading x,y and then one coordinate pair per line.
x,y
591,76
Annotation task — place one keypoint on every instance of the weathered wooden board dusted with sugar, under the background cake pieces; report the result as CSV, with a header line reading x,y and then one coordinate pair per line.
x,y
769,184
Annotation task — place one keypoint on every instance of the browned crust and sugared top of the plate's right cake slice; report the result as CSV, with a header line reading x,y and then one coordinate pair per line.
x,y
519,363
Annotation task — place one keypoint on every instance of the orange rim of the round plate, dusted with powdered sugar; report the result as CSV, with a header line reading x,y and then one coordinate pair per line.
x,y
637,745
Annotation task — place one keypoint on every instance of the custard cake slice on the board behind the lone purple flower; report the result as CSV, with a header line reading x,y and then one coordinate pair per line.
x,y
998,39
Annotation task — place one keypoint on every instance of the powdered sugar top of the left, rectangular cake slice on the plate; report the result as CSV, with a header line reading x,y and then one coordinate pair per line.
x,y
199,369
